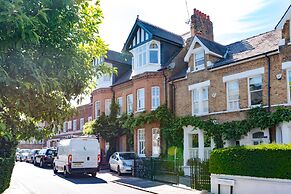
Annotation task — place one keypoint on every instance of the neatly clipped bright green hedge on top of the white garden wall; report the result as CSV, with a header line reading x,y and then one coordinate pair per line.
x,y
269,161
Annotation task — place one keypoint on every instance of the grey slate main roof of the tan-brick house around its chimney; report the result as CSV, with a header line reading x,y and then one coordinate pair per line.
x,y
238,51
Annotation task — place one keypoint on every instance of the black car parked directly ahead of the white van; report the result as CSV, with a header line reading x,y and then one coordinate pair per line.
x,y
45,157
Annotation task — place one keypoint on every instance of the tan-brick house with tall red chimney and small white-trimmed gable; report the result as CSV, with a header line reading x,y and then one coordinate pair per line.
x,y
210,80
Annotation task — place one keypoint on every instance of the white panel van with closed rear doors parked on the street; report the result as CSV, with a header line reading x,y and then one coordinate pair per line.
x,y
77,155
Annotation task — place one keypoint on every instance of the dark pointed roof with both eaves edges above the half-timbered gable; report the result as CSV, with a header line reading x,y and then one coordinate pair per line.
x,y
154,31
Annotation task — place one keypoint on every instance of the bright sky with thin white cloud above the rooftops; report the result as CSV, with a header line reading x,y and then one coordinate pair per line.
x,y
233,19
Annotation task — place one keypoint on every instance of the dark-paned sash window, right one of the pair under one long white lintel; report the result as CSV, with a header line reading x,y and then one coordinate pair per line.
x,y
255,90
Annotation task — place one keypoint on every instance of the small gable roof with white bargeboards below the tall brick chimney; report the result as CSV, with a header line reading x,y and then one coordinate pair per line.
x,y
210,47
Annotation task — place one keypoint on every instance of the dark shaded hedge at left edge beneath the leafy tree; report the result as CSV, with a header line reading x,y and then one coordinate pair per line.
x,y
6,167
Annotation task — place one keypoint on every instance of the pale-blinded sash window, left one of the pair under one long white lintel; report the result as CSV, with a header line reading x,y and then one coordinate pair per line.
x,y
232,95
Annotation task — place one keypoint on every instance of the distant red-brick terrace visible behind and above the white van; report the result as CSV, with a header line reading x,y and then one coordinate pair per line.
x,y
72,126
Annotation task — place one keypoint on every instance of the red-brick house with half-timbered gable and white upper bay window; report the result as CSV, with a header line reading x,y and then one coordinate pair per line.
x,y
141,83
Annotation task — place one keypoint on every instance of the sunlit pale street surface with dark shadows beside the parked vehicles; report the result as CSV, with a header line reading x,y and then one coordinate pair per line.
x,y
28,179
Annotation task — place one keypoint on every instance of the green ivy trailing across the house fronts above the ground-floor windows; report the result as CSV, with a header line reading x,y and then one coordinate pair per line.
x,y
172,126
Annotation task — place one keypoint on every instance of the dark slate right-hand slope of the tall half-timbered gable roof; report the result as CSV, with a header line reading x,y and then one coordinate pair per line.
x,y
162,33
